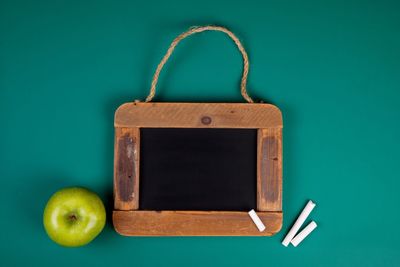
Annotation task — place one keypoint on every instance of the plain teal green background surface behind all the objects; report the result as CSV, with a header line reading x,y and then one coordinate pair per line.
x,y
333,67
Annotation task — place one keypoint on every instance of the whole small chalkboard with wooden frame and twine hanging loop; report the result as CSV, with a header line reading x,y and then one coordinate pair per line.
x,y
196,169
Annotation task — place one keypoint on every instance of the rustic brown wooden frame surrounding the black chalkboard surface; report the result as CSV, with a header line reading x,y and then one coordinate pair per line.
x,y
130,117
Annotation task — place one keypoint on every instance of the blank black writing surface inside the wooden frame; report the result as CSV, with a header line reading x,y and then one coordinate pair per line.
x,y
198,169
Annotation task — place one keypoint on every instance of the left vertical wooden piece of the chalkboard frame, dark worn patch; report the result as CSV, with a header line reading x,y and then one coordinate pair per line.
x,y
126,168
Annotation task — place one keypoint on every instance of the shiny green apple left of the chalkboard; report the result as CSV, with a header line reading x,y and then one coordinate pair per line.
x,y
74,216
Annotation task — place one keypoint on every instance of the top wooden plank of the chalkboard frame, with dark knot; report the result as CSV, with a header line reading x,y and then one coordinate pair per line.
x,y
198,115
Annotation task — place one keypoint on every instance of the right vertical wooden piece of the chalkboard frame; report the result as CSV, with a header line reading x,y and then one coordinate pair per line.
x,y
269,176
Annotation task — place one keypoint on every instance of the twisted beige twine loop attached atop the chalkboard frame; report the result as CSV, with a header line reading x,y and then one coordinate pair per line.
x,y
194,30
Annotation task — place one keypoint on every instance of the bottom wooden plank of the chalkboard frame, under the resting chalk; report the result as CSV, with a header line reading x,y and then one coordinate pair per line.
x,y
194,223
